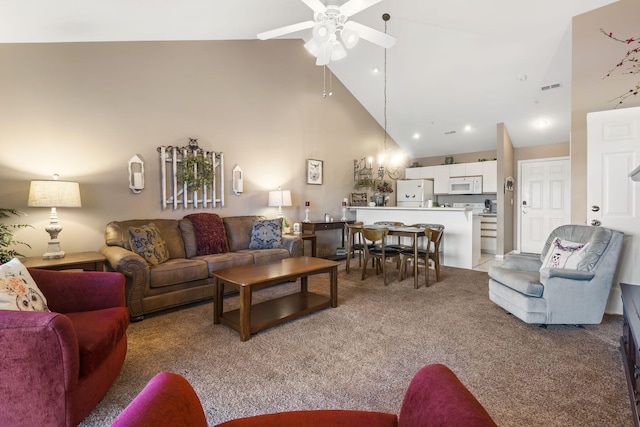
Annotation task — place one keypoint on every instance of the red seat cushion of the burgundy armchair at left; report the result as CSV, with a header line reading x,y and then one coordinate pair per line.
x,y
98,332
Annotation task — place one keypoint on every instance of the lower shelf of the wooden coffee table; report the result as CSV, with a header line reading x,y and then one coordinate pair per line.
x,y
278,310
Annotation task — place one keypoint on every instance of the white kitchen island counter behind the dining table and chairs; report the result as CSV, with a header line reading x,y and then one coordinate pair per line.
x,y
461,240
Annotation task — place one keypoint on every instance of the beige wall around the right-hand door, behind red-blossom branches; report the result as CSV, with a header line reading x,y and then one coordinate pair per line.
x,y
594,55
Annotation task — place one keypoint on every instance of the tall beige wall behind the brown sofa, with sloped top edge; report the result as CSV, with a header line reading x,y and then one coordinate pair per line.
x,y
83,109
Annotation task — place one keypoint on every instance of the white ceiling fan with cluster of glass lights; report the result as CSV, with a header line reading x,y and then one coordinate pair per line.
x,y
333,33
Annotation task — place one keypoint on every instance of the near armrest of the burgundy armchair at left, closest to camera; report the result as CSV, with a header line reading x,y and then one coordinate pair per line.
x,y
41,361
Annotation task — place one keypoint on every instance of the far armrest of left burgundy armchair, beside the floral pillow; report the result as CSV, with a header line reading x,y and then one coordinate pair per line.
x,y
71,291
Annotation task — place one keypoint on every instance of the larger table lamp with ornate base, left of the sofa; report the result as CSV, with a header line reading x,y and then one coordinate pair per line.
x,y
54,194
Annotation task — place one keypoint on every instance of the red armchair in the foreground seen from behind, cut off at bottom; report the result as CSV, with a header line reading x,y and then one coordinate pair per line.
x,y
435,398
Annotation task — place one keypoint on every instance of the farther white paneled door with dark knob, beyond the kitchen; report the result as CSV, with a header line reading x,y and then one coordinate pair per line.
x,y
544,200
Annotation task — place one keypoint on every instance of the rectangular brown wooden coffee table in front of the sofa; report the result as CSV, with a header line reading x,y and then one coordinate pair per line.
x,y
249,319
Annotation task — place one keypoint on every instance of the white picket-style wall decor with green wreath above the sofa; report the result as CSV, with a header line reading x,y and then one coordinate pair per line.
x,y
206,188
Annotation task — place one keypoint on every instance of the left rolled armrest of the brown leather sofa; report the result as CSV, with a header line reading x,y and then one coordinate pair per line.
x,y
136,272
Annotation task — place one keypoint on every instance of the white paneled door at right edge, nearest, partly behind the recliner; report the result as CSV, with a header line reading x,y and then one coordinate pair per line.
x,y
613,199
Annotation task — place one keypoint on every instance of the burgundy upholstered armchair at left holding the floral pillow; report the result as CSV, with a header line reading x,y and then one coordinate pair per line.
x,y
57,366
